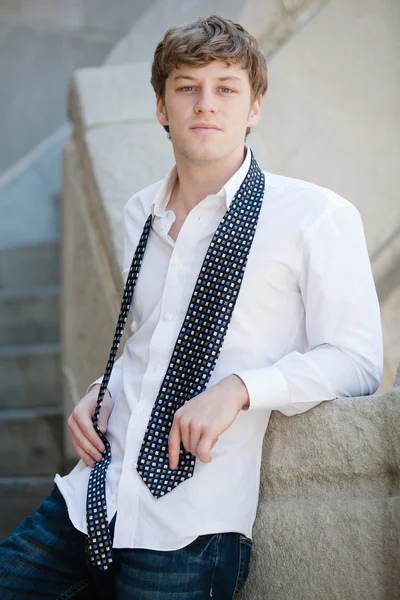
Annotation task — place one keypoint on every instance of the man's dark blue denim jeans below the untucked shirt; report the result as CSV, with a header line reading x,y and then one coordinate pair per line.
x,y
44,558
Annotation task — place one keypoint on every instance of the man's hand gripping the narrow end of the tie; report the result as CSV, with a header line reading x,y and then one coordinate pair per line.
x,y
80,424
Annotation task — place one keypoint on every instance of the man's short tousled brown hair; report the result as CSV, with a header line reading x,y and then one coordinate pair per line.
x,y
204,40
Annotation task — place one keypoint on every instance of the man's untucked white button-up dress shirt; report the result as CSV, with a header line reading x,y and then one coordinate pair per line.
x,y
306,328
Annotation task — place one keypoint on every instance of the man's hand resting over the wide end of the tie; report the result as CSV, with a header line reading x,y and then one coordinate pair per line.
x,y
200,421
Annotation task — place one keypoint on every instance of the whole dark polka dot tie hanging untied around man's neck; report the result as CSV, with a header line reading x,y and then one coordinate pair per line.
x,y
193,358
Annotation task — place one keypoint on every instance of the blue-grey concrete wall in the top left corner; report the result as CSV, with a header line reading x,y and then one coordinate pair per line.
x,y
41,43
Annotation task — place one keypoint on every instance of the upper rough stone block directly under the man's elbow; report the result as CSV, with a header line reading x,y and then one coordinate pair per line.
x,y
344,446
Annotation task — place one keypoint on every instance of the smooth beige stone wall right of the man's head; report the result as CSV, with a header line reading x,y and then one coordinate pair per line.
x,y
325,120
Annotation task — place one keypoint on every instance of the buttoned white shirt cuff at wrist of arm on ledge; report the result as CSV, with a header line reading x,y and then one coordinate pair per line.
x,y
267,388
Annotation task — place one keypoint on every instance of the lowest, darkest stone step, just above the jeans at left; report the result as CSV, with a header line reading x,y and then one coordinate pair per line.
x,y
19,498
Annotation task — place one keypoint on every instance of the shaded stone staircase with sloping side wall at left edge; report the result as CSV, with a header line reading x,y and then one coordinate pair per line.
x,y
31,418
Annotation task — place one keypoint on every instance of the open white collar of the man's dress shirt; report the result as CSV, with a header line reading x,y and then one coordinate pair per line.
x,y
227,191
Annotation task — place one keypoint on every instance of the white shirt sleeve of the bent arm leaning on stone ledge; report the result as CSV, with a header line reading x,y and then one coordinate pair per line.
x,y
342,322
